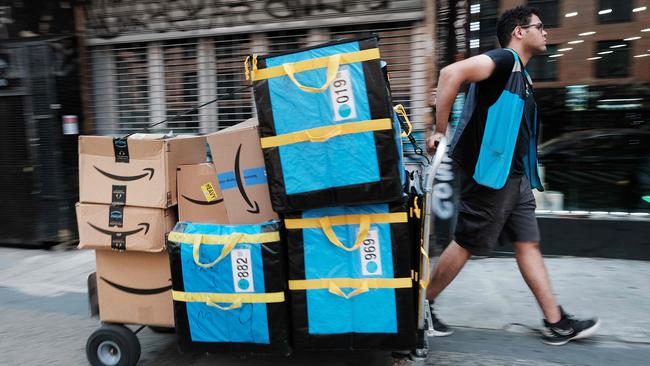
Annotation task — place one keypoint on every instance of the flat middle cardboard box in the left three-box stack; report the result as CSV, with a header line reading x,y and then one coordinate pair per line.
x,y
123,227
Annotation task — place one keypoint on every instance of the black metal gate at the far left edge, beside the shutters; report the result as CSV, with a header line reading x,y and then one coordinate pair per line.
x,y
38,163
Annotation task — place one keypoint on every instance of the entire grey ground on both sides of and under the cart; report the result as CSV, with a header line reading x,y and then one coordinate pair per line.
x,y
44,316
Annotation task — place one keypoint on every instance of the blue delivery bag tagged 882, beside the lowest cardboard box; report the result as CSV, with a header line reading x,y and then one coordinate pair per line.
x,y
228,286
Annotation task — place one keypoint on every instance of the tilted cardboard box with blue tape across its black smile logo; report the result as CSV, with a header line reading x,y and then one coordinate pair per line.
x,y
237,155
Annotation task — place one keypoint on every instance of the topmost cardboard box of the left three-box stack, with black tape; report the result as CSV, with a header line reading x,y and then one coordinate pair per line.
x,y
138,172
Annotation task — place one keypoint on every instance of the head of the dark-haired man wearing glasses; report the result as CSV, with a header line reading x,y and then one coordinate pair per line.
x,y
521,25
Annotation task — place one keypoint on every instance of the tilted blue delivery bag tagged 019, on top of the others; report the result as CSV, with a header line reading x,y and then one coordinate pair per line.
x,y
326,125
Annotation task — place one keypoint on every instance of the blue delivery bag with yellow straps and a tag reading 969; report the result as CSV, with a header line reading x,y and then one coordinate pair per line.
x,y
350,278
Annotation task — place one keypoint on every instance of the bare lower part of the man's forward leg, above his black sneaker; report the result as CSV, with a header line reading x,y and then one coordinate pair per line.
x,y
532,268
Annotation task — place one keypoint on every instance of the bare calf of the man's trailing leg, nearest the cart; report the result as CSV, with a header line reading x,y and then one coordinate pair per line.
x,y
451,261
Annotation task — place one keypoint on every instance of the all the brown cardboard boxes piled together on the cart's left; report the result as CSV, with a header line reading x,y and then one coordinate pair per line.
x,y
129,189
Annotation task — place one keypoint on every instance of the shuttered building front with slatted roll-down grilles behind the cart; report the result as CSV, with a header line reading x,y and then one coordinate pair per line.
x,y
149,60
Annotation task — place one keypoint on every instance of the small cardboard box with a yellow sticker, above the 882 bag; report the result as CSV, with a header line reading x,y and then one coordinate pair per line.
x,y
199,196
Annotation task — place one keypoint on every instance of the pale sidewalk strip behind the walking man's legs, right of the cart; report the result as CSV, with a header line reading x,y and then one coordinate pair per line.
x,y
491,294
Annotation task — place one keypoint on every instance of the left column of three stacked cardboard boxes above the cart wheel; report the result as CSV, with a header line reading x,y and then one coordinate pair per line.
x,y
128,198
